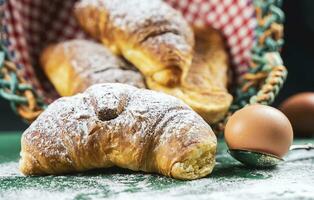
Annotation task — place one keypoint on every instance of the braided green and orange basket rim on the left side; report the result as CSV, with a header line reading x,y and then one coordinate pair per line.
x,y
13,87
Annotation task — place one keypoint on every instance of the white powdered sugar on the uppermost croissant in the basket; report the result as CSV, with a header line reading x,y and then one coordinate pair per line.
x,y
132,14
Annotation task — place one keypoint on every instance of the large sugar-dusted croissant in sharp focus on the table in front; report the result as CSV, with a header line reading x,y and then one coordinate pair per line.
x,y
119,125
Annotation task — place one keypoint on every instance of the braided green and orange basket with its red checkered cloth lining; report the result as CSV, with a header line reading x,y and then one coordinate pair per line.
x,y
253,31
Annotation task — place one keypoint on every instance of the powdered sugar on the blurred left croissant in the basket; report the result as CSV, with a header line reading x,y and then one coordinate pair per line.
x,y
96,64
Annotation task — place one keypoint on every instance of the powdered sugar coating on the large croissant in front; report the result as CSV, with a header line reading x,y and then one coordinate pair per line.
x,y
134,116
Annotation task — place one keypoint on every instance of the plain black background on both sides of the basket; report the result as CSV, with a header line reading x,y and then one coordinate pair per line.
x,y
298,55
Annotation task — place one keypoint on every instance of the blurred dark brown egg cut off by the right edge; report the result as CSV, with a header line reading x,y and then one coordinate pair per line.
x,y
300,111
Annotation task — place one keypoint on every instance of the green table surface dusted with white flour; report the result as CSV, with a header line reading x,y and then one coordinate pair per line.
x,y
293,179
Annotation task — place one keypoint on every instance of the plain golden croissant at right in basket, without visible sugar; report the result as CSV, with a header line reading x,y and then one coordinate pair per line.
x,y
205,86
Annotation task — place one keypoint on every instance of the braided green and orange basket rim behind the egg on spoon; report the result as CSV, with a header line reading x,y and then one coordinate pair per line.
x,y
267,74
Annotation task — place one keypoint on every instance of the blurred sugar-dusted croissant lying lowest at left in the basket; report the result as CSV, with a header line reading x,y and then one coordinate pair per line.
x,y
74,65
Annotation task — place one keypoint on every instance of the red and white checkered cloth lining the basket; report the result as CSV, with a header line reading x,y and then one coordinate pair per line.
x,y
32,24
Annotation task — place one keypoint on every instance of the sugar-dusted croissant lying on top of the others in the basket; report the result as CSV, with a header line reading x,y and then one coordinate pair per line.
x,y
150,34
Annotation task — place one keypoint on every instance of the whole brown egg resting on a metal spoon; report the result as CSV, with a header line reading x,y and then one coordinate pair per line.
x,y
259,128
